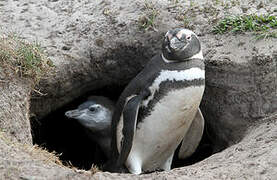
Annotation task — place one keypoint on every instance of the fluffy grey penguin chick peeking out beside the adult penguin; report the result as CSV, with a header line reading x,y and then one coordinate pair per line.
x,y
95,115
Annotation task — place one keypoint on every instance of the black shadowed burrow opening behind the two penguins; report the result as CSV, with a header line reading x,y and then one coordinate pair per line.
x,y
68,138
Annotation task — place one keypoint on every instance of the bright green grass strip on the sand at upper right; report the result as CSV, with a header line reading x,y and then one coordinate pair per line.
x,y
263,26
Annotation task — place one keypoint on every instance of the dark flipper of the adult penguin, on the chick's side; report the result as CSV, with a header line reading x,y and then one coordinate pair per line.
x,y
130,113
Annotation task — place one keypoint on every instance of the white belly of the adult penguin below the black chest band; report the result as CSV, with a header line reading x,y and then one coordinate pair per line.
x,y
159,134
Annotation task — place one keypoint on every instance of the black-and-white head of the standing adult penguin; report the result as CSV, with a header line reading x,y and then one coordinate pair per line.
x,y
180,44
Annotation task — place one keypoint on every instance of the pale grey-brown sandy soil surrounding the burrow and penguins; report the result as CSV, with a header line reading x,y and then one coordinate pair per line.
x,y
91,44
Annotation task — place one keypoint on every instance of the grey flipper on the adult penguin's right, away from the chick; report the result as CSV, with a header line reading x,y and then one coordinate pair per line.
x,y
193,136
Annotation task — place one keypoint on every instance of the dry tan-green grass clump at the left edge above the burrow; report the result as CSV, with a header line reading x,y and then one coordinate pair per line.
x,y
22,58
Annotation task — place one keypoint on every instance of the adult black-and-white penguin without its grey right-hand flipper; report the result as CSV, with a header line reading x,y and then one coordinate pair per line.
x,y
156,109
